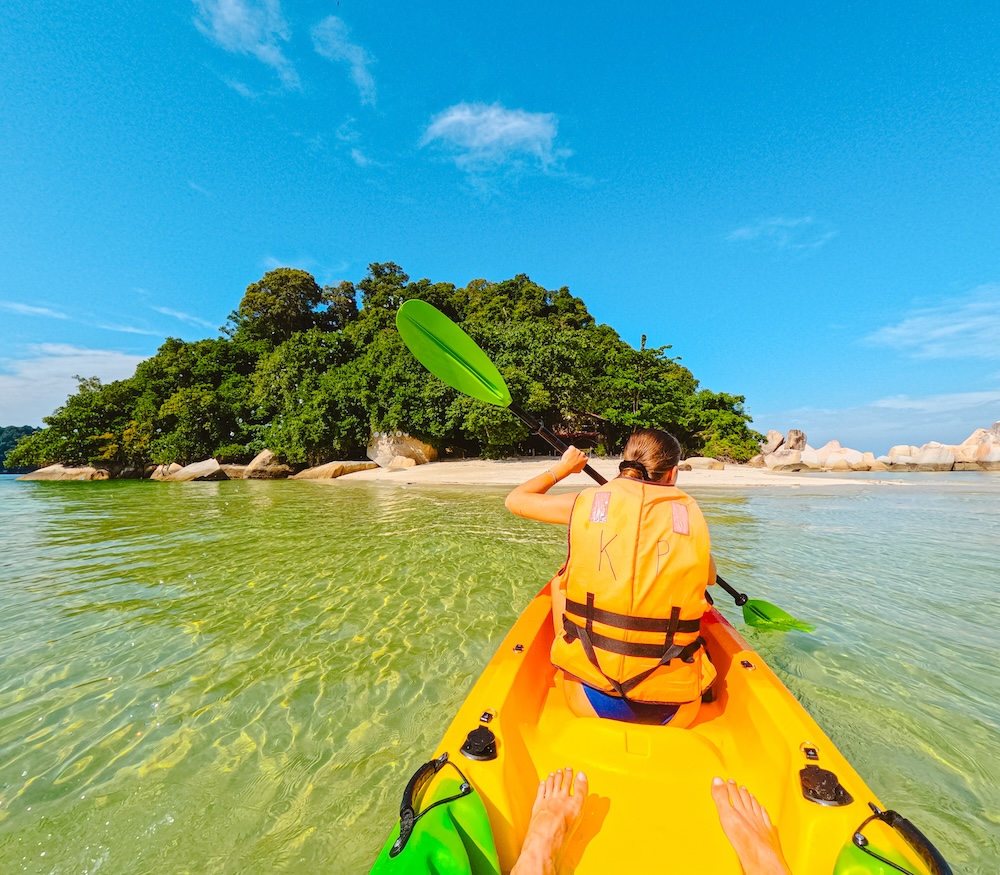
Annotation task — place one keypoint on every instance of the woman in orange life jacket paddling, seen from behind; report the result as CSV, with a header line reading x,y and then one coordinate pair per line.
x,y
628,601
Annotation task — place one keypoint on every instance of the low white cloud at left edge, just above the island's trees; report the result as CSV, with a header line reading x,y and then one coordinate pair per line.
x,y
33,387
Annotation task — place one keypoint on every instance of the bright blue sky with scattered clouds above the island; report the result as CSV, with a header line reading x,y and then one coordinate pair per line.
x,y
803,199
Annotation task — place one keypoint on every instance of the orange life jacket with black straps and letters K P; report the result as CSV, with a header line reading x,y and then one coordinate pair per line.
x,y
639,561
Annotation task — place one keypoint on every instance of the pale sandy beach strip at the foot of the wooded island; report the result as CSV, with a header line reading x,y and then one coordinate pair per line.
x,y
510,472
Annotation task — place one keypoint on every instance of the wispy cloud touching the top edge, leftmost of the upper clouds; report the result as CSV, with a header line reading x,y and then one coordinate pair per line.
x,y
249,27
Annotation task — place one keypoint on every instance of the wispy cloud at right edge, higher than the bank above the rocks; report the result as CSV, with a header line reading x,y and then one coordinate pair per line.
x,y
963,328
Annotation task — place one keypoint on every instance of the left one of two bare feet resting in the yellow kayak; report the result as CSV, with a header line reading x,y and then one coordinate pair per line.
x,y
554,816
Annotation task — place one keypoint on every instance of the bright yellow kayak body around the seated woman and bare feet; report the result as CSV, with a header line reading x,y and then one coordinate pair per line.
x,y
650,807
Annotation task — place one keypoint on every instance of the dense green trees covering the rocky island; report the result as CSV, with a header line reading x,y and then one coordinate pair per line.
x,y
306,372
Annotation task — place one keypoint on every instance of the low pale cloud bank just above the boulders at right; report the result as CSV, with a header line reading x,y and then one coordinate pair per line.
x,y
885,422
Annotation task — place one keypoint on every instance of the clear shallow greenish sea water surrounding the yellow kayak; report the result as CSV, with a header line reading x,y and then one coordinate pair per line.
x,y
239,677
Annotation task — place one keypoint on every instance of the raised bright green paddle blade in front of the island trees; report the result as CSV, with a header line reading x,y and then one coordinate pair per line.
x,y
449,353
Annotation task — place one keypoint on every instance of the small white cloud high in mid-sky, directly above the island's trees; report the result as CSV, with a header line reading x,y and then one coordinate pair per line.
x,y
482,137
